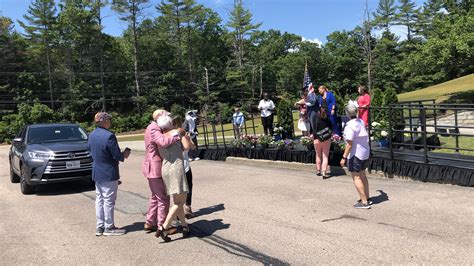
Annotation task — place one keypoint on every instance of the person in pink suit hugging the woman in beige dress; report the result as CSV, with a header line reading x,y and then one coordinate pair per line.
x,y
159,202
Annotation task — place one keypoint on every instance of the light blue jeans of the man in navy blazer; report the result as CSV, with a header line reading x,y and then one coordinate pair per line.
x,y
105,196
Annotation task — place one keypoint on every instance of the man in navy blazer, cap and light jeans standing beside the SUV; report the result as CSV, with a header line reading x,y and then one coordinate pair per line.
x,y
106,154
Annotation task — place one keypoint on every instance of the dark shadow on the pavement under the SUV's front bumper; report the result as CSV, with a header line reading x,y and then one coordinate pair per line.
x,y
64,188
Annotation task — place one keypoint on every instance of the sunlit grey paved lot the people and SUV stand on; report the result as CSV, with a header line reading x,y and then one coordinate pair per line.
x,y
247,215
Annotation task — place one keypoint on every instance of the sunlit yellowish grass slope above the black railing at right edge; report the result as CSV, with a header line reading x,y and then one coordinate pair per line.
x,y
440,91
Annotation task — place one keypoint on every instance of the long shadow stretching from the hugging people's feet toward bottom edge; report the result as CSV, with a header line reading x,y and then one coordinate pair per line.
x,y
204,230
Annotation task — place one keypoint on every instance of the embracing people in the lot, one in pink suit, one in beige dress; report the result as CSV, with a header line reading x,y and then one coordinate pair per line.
x,y
166,166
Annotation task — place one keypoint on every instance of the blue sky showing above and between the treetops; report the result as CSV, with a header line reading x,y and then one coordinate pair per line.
x,y
311,19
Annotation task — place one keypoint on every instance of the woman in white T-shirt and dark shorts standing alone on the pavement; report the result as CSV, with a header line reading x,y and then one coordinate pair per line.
x,y
356,155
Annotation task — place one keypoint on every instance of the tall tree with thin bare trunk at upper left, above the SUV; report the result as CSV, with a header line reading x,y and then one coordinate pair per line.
x,y
39,28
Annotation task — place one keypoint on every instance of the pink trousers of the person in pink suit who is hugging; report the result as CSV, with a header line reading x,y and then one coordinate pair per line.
x,y
159,202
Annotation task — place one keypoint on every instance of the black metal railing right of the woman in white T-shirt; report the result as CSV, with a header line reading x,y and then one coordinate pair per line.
x,y
426,132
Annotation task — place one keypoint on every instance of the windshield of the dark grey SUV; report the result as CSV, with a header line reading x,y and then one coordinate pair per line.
x,y
56,134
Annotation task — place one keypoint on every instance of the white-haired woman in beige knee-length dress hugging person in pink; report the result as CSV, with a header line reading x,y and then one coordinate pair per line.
x,y
173,174
